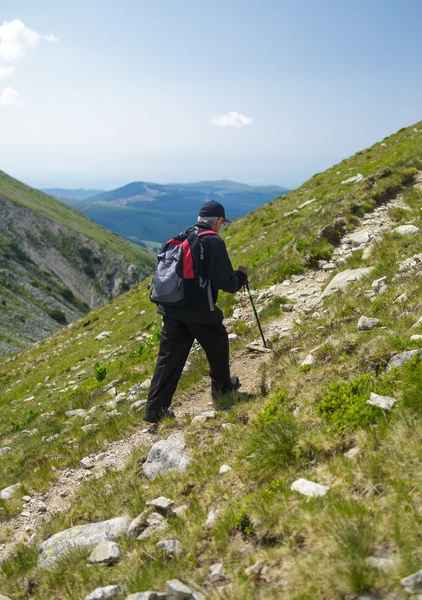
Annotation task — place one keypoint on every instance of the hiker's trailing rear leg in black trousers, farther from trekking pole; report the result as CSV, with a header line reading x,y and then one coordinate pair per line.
x,y
175,344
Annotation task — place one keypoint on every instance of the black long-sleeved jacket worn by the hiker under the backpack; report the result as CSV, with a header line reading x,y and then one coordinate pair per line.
x,y
219,270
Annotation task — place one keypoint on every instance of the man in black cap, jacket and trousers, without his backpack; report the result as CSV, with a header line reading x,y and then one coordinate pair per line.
x,y
202,320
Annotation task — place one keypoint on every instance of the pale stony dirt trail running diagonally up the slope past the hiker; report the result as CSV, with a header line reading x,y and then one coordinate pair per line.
x,y
303,293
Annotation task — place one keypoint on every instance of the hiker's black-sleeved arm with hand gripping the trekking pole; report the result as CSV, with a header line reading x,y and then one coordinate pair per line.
x,y
220,269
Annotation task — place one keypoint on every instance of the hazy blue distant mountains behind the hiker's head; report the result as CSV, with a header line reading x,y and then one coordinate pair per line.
x,y
149,211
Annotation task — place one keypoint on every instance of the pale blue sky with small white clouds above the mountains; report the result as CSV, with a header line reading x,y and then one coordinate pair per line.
x,y
146,90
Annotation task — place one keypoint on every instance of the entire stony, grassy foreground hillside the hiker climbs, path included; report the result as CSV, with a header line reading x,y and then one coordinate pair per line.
x,y
306,485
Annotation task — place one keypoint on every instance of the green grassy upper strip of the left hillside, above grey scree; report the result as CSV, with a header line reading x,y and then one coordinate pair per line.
x,y
49,207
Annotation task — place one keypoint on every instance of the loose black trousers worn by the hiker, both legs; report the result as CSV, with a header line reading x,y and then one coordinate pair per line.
x,y
176,341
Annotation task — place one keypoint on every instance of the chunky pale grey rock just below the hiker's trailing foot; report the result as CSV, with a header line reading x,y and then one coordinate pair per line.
x,y
166,455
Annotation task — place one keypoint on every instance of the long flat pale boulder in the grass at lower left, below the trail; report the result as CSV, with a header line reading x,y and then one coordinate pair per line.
x,y
81,536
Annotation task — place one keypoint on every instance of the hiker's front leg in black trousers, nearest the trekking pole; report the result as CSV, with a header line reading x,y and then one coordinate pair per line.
x,y
214,340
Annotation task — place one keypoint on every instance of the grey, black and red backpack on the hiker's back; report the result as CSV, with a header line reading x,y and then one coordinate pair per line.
x,y
179,275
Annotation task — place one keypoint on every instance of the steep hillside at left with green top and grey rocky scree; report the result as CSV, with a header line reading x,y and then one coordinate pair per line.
x,y
55,265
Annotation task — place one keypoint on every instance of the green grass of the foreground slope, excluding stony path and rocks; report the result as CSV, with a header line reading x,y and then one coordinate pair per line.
x,y
260,518
